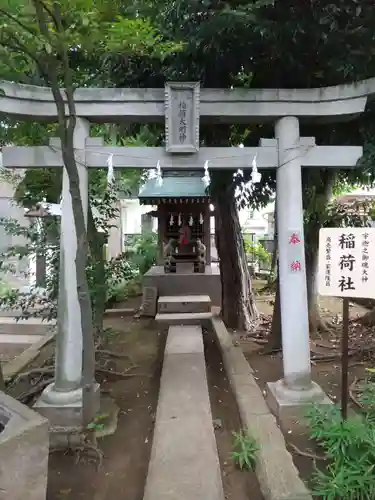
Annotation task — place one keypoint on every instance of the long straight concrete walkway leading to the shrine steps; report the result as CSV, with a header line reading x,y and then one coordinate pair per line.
x,y
184,462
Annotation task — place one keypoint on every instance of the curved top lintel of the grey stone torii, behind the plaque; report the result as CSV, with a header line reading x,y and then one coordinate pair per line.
x,y
235,105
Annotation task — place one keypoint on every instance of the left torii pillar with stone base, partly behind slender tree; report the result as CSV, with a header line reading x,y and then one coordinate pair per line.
x,y
61,401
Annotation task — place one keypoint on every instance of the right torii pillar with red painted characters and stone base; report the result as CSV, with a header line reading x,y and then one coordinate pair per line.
x,y
296,388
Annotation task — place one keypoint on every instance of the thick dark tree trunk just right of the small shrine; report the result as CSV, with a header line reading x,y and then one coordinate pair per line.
x,y
238,305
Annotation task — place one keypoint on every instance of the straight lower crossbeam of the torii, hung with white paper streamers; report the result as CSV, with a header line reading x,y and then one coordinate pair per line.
x,y
218,158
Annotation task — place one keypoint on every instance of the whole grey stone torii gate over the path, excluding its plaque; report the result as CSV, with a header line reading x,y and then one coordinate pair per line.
x,y
183,106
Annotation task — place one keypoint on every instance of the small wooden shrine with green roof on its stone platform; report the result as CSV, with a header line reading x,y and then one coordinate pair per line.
x,y
184,259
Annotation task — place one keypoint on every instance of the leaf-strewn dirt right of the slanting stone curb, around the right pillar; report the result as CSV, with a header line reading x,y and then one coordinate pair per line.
x,y
268,368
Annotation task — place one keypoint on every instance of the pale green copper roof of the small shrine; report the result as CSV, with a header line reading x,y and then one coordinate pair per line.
x,y
174,187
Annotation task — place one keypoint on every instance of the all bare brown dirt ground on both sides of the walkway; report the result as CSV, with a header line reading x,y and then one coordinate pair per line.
x,y
126,453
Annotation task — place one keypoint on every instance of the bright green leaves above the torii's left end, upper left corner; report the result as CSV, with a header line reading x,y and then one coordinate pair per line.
x,y
42,39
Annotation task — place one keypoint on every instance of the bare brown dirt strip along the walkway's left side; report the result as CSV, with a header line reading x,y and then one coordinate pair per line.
x,y
126,453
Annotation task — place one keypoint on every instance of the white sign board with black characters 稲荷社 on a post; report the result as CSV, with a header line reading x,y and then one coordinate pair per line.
x,y
347,262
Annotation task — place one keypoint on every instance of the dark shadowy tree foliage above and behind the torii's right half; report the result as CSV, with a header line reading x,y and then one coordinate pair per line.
x,y
264,44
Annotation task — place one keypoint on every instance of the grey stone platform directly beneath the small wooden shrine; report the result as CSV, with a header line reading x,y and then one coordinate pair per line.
x,y
185,282
